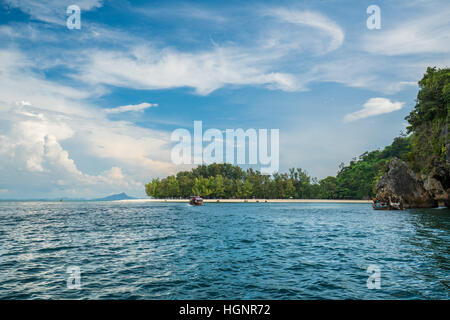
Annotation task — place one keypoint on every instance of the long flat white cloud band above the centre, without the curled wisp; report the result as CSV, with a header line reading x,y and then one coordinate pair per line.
x,y
145,68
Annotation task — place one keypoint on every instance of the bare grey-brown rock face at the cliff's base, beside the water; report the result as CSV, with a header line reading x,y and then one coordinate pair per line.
x,y
402,184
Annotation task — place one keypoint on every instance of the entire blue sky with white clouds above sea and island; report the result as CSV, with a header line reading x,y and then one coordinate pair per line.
x,y
89,112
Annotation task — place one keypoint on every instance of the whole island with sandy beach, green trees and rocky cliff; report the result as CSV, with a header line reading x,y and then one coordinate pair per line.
x,y
413,170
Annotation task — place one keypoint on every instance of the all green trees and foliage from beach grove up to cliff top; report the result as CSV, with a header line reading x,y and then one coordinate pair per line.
x,y
425,147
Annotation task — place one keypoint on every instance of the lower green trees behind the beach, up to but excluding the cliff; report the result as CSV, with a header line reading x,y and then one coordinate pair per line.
x,y
355,181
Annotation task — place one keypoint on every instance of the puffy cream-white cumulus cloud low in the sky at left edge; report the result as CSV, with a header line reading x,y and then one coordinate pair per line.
x,y
32,148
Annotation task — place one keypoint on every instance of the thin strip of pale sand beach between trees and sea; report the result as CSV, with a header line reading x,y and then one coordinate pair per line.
x,y
249,200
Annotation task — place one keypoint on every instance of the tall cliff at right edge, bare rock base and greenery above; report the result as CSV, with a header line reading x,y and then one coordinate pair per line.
x,y
428,183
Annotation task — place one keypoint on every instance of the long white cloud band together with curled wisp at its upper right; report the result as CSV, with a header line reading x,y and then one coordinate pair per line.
x,y
260,61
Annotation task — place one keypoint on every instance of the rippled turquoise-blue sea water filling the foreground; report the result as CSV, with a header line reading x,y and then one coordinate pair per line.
x,y
221,251
